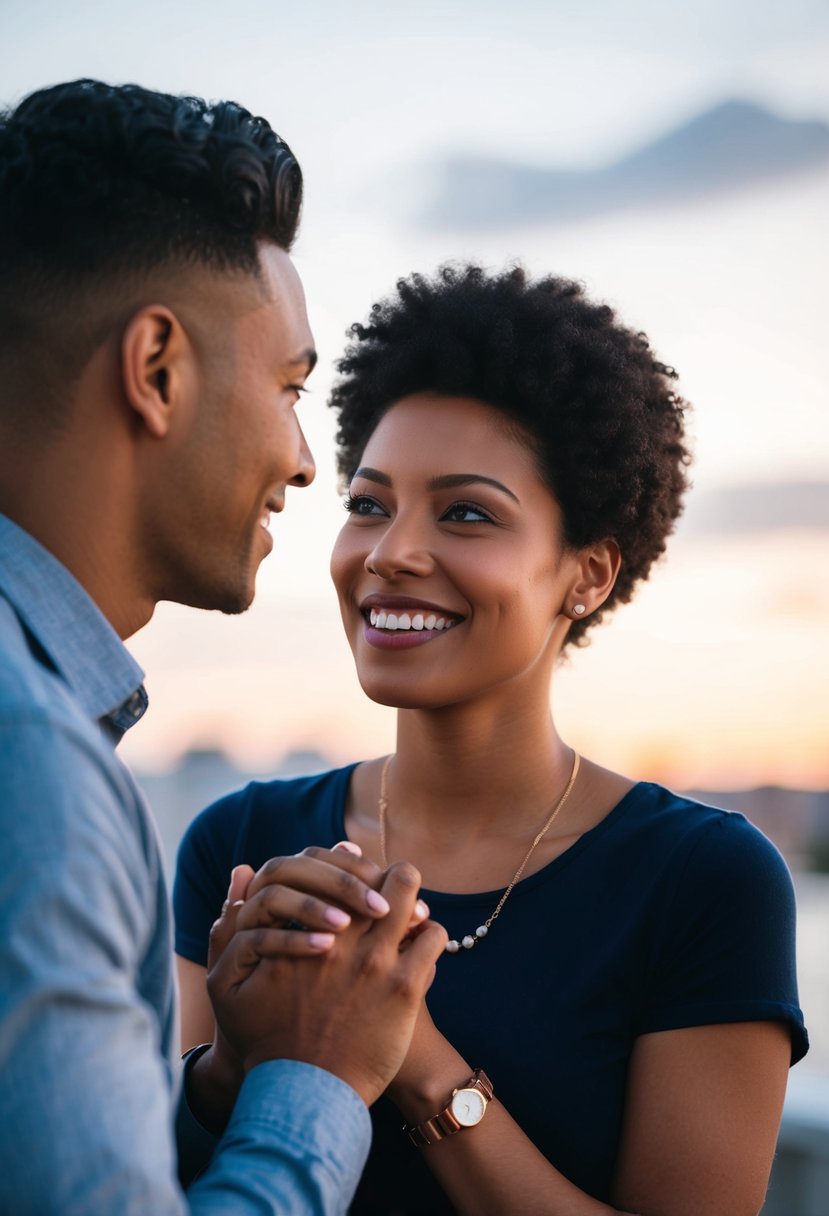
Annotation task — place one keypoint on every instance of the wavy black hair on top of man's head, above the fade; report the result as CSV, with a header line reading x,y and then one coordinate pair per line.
x,y
93,173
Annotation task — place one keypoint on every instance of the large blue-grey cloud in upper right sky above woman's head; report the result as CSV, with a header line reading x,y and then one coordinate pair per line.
x,y
734,145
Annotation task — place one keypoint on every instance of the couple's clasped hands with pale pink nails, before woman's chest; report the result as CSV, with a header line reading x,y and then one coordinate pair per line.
x,y
343,993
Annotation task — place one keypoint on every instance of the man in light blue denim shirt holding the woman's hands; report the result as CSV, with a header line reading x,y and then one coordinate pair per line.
x,y
154,344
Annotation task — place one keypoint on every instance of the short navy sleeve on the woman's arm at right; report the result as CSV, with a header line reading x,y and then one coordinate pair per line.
x,y
726,945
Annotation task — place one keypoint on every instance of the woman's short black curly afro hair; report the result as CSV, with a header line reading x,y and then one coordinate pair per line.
x,y
599,412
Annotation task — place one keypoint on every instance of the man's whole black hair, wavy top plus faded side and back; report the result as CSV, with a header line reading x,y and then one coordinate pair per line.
x,y
101,185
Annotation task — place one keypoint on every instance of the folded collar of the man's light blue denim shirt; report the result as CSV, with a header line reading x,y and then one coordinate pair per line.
x,y
74,632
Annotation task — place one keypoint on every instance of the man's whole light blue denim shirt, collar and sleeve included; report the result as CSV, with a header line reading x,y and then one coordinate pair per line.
x,y
89,1072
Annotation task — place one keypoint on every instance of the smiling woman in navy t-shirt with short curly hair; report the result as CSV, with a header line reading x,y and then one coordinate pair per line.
x,y
622,960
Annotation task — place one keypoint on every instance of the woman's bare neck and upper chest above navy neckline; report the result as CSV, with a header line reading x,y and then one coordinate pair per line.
x,y
470,787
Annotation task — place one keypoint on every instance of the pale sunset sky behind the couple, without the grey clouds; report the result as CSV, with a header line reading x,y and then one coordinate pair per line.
x,y
719,674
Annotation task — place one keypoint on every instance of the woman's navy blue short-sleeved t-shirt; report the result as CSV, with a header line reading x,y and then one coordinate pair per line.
x,y
669,914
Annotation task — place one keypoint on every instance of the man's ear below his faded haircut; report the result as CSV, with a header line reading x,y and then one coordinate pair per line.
x,y
155,353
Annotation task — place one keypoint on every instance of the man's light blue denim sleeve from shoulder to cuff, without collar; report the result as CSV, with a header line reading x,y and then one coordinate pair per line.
x,y
87,1096
